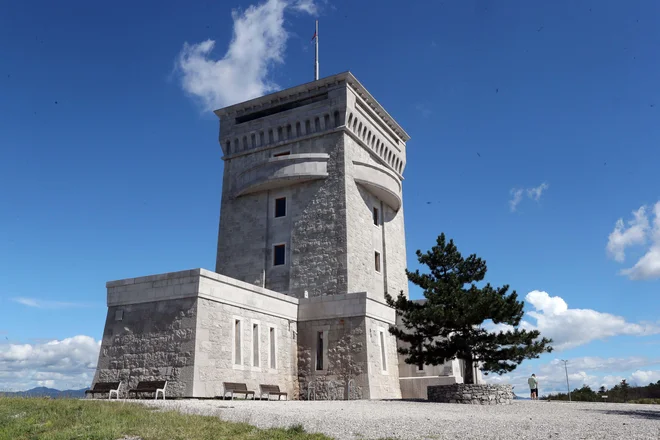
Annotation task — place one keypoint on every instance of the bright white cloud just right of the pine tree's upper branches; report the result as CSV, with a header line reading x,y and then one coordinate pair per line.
x,y
570,328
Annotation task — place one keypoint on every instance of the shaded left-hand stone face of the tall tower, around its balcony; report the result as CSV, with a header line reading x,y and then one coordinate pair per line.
x,y
314,230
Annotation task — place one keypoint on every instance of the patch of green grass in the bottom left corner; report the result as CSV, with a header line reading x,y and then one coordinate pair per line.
x,y
66,419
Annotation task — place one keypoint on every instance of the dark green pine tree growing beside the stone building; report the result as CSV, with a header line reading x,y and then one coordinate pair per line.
x,y
448,324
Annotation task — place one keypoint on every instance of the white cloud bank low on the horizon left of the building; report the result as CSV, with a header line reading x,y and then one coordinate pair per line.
x,y
67,363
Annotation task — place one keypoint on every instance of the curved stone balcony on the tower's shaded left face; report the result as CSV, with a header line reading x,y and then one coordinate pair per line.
x,y
276,172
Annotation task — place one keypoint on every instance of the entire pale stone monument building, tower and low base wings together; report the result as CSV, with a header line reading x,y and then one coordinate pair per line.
x,y
311,236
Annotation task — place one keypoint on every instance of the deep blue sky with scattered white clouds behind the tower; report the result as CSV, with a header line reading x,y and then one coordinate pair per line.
x,y
110,167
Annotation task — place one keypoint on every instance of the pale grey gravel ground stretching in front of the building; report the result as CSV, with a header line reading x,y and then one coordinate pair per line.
x,y
422,420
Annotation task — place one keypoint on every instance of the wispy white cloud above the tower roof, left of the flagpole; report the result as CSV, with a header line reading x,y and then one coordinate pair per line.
x,y
258,43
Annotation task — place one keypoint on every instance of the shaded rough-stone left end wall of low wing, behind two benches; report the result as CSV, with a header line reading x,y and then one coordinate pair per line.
x,y
152,341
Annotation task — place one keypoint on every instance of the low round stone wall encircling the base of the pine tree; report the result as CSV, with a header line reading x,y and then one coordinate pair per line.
x,y
471,394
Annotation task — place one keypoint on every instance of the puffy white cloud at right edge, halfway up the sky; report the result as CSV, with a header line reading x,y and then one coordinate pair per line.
x,y
639,231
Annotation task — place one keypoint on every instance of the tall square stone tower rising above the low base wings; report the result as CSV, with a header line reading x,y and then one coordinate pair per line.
x,y
311,197
